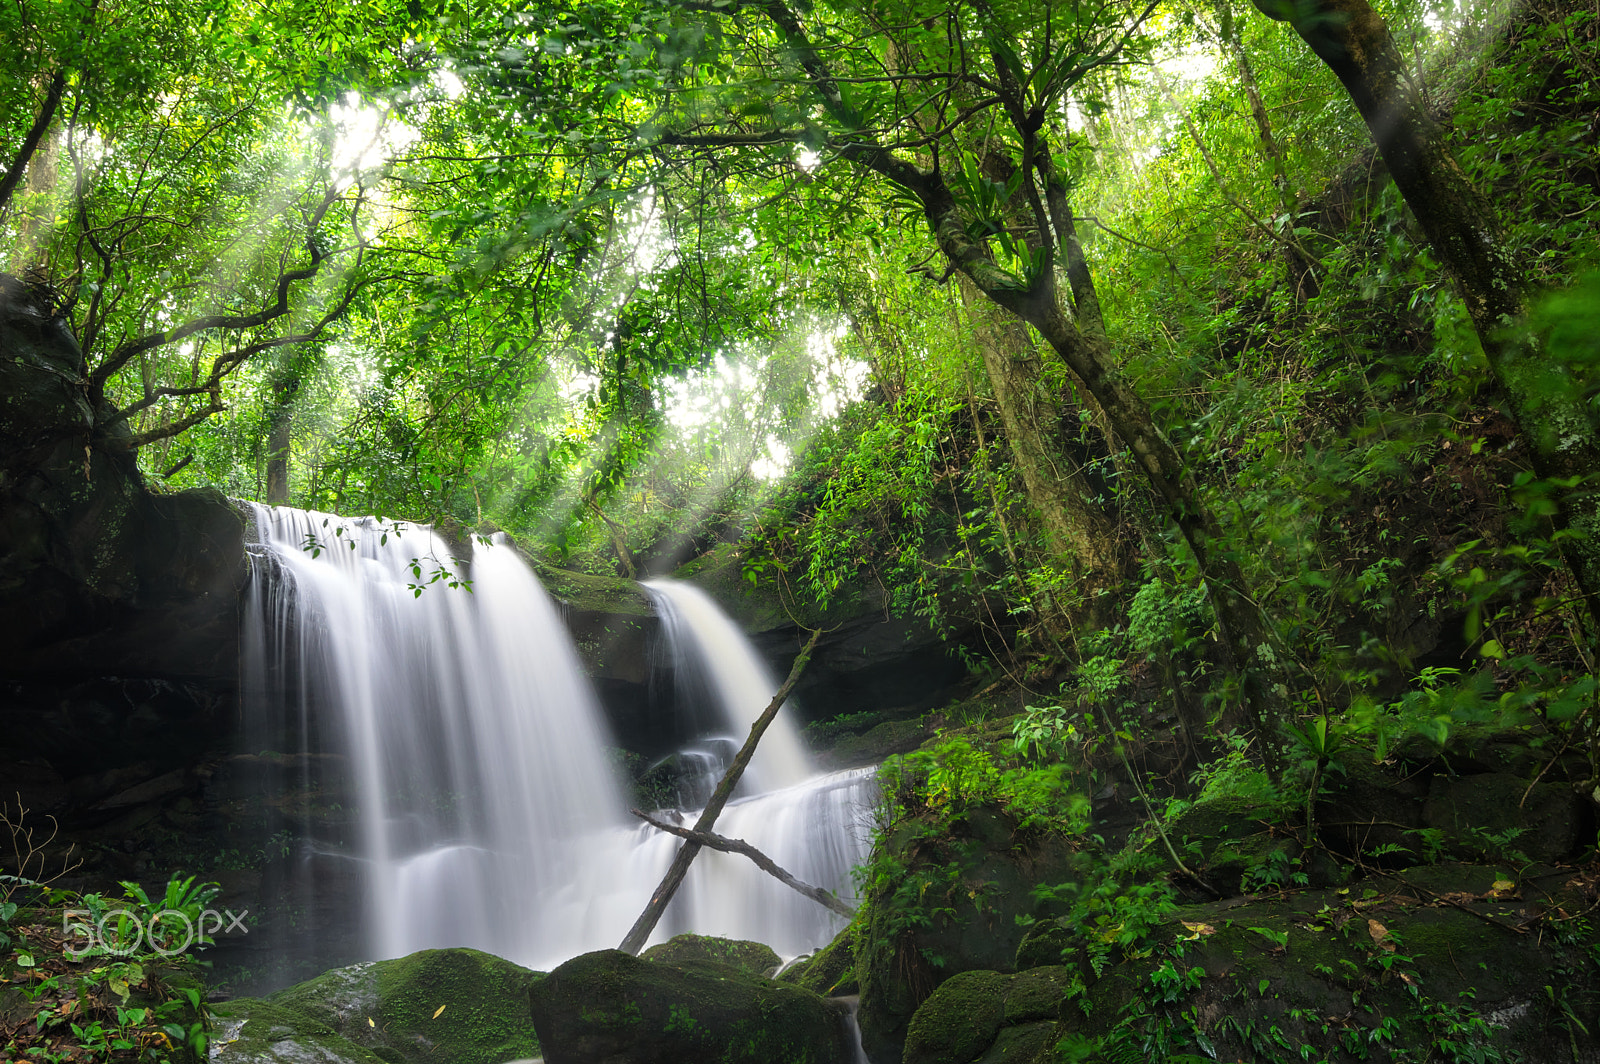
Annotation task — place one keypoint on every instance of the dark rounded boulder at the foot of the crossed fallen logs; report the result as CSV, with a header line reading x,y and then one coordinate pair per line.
x,y
609,1007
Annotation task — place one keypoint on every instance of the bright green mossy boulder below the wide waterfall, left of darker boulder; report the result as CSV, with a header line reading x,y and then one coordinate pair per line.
x,y
436,1007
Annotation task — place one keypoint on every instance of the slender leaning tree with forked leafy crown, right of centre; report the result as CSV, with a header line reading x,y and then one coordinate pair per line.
x,y
881,90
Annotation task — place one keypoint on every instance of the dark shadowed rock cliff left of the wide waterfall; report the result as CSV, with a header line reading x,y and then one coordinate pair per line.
x,y
118,604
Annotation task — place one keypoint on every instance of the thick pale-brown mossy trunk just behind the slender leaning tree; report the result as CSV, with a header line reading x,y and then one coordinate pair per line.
x,y
1076,527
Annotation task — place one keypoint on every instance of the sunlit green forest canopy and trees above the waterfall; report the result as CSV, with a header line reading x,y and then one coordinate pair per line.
x,y
1246,343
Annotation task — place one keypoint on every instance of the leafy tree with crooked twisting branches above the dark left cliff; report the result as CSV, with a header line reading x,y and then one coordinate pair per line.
x,y
206,217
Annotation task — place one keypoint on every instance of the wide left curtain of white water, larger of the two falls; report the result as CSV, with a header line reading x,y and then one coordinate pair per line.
x,y
476,750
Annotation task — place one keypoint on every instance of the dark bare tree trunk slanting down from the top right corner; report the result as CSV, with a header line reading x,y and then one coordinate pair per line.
x,y
1465,233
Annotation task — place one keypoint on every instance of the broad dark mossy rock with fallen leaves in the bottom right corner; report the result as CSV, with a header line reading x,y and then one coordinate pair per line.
x,y
1385,969
